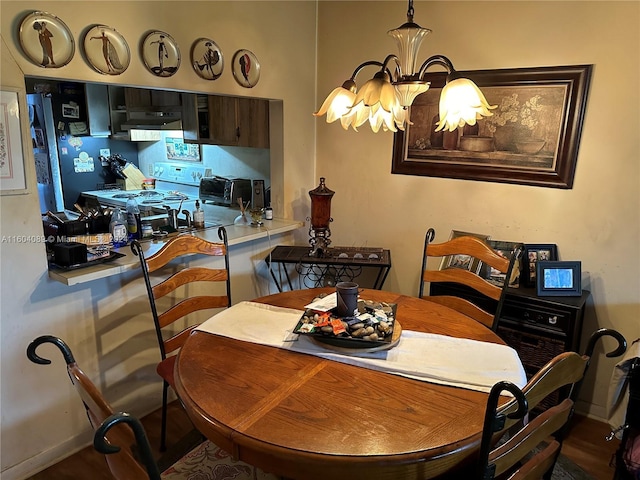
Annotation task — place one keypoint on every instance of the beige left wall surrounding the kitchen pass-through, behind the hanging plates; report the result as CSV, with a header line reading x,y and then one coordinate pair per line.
x,y
105,321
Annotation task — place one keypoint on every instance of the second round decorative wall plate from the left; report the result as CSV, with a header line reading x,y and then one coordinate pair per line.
x,y
106,50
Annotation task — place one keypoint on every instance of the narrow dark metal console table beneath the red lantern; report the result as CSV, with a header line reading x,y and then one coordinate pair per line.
x,y
337,264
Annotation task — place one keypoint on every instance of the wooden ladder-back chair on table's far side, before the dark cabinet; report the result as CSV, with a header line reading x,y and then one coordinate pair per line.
x,y
465,280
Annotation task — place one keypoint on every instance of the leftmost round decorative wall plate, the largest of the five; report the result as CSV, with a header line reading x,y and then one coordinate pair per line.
x,y
46,40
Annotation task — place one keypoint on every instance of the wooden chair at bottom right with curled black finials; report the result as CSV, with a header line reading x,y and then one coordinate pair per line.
x,y
532,448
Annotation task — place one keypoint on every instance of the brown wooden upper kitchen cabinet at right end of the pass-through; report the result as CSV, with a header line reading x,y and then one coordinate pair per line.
x,y
230,121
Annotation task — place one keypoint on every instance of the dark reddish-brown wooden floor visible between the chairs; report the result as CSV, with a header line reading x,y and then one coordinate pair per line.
x,y
585,445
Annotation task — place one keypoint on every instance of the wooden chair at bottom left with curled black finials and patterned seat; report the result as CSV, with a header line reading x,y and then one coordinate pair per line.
x,y
123,440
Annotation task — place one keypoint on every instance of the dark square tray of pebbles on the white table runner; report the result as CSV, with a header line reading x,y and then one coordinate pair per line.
x,y
374,328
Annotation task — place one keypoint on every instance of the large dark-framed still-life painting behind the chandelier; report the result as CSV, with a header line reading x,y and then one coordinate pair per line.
x,y
532,138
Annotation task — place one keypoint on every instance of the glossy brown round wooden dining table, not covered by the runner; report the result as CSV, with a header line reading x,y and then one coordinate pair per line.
x,y
303,417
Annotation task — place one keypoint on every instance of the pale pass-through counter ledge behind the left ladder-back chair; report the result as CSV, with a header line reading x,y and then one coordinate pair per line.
x,y
236,234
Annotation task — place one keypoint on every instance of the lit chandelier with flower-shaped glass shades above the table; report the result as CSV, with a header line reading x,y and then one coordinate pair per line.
x,y
384,99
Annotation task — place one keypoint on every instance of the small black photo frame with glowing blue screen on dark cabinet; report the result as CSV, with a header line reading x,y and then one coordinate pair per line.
x,y
559,278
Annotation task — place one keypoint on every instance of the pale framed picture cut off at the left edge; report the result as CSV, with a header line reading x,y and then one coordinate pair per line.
x,y
13,178
